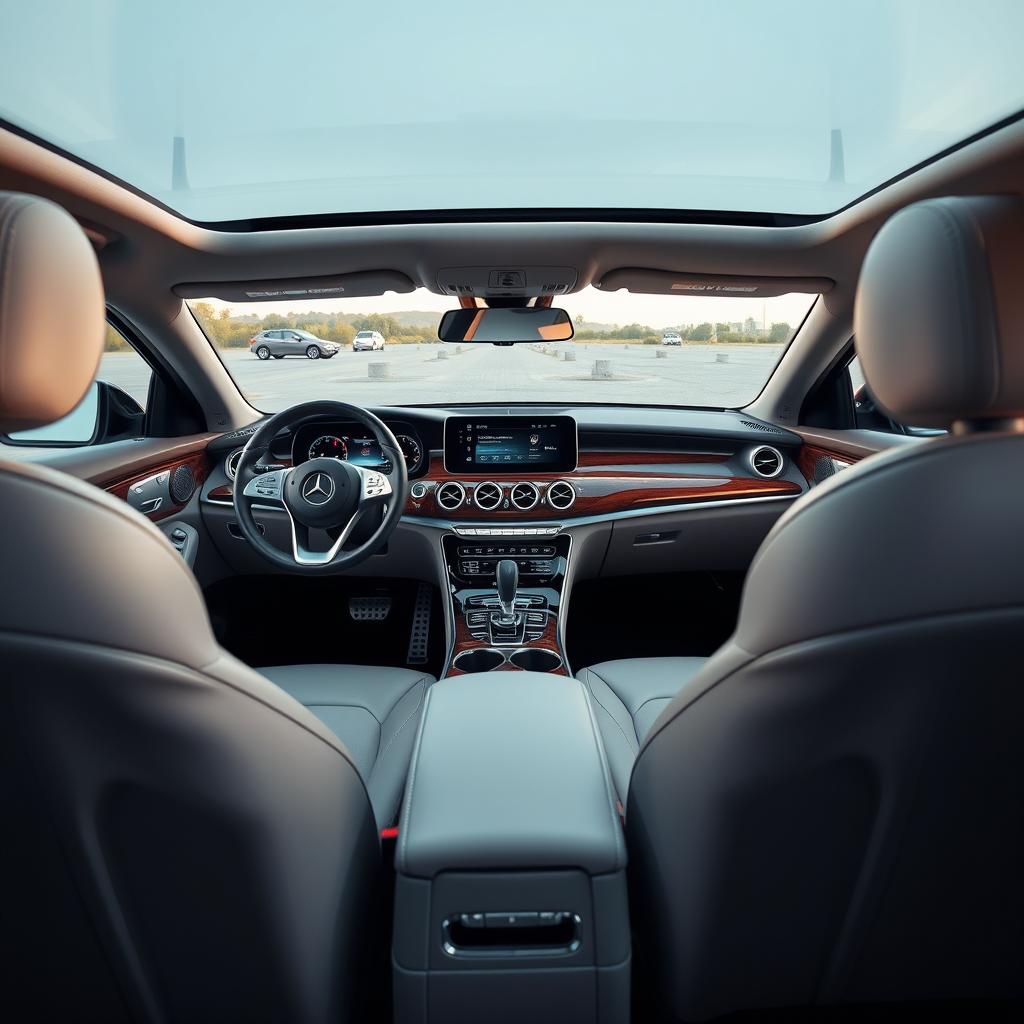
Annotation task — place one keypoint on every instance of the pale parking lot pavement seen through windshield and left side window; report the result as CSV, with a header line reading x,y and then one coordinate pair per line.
x,y
432,374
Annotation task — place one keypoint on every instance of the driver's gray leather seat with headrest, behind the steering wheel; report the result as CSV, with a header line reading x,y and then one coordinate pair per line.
x,y
184,840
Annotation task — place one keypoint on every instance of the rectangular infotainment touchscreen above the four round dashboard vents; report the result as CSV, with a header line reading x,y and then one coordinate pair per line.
x,y
510,444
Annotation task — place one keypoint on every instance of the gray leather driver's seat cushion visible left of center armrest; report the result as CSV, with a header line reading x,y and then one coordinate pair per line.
x,y
374,711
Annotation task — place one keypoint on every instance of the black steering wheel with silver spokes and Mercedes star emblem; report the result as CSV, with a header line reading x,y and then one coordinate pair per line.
x,y
322,494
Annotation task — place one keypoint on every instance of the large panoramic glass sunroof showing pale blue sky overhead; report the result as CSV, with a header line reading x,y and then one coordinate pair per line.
x,y
234,111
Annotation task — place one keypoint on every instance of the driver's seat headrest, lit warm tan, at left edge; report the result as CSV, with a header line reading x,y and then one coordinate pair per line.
x,y
53,319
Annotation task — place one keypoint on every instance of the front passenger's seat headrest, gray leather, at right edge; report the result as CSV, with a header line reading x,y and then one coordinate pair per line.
x,y
940,316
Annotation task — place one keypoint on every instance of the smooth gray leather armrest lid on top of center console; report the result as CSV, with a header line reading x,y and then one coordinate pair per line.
x,y
508,773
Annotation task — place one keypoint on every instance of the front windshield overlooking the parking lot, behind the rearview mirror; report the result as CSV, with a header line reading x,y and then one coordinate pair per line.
x,y
629,350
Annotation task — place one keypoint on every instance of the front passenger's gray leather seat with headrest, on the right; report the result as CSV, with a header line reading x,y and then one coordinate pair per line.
x,y
830,812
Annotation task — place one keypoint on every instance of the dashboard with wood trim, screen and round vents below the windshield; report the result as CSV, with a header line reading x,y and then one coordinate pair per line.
x,y
527,468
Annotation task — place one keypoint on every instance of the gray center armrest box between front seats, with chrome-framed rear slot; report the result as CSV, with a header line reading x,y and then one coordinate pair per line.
x,y
510,899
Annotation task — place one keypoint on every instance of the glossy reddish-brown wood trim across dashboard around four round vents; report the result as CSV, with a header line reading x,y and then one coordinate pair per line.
x,y
603,489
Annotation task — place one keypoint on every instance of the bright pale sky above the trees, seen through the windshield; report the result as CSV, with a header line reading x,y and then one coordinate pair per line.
x,y
604,308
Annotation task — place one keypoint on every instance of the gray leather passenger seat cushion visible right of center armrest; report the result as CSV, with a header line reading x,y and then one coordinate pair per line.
x,y
628,697
